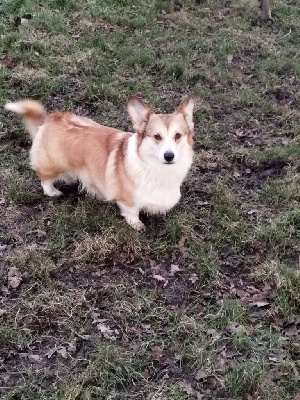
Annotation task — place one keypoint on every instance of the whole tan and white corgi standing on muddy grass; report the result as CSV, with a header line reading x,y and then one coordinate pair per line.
x,y
140,171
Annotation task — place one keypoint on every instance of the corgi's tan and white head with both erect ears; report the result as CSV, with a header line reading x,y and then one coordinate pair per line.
x,y
162,136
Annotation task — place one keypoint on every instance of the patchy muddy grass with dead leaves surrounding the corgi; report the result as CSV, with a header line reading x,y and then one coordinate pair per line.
x,y
102,312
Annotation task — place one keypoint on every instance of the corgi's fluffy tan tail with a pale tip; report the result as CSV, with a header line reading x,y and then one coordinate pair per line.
x,y
32,111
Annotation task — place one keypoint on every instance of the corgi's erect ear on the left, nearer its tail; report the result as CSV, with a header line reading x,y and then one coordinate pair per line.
x,y
139,113
